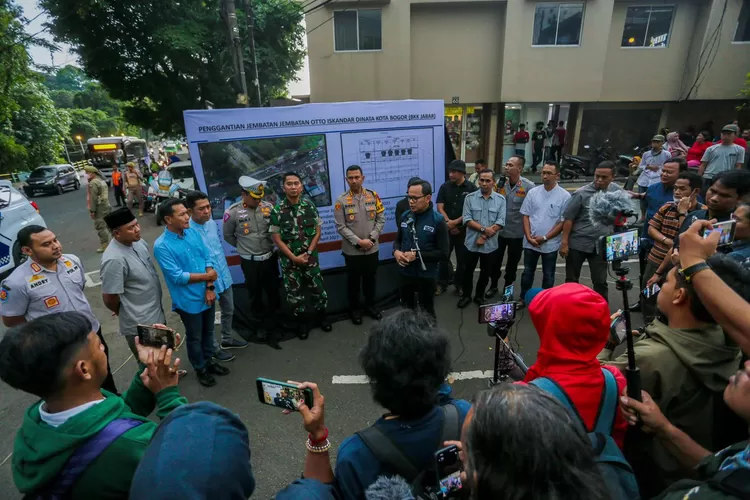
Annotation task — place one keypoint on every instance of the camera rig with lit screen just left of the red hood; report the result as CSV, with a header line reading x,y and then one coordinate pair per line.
x,y
500,317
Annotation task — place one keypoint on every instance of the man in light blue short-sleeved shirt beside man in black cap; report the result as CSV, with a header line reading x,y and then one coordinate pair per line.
x,y
484,217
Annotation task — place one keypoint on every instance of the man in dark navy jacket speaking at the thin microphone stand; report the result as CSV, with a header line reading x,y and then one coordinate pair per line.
x,y
422,226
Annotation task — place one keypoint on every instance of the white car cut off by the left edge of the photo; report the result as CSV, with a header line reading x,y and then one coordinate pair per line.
x,y
16,211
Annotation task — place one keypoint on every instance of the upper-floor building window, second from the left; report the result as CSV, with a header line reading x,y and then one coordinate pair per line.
x,y
558,24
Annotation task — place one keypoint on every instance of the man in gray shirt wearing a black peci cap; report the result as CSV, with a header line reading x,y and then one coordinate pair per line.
x,y
130,285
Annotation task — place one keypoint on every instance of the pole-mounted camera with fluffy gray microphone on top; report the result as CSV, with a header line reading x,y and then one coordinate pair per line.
x,y
612,209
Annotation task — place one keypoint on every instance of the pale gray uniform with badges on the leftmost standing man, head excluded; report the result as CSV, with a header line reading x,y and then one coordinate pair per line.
x,y
33,291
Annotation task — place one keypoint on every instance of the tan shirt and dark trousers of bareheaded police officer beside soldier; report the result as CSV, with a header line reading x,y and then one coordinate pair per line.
x,y
360,217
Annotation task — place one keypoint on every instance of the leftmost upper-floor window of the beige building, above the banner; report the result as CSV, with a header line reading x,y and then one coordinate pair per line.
x,y
357,30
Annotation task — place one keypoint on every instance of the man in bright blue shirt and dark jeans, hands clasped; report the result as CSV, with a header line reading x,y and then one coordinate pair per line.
x,y
189,272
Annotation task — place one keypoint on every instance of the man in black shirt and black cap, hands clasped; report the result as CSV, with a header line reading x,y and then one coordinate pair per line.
x,y
450,204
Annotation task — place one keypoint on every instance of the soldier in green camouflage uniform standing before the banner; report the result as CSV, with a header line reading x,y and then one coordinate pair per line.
x,y
295,229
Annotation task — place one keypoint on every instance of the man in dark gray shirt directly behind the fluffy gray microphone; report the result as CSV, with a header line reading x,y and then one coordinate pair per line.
x,y
581,235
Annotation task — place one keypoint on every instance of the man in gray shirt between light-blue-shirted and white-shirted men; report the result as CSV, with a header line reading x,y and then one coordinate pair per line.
x,y
514,188
